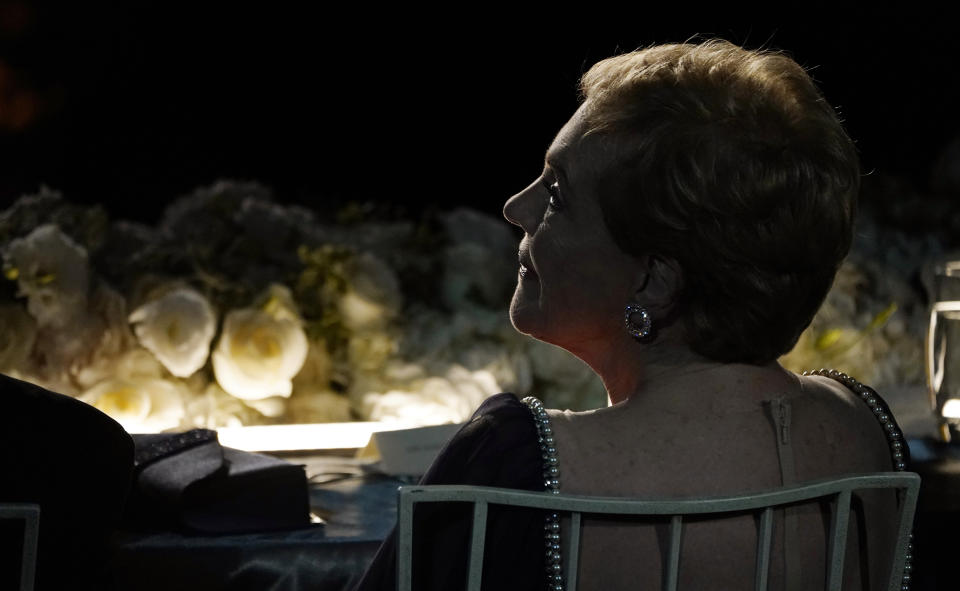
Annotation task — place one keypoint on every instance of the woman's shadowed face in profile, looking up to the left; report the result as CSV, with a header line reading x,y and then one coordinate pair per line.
x,y
574,281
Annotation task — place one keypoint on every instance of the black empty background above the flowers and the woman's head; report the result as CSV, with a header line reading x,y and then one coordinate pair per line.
x,y
131,106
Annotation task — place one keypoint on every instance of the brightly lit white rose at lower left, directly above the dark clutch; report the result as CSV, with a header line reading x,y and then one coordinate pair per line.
x,y
140,405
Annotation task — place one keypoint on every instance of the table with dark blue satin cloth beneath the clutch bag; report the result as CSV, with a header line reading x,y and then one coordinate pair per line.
x,y
359,510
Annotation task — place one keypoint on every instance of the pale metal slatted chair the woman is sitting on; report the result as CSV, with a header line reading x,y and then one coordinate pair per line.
x,y
837,490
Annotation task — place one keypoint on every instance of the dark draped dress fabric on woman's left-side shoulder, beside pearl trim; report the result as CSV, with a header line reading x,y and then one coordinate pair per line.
x,y
497,447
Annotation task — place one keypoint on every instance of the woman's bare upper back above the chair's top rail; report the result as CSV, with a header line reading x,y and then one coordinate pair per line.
x,y
725,442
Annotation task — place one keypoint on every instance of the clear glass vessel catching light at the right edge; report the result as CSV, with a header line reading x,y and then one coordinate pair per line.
x,y
943,348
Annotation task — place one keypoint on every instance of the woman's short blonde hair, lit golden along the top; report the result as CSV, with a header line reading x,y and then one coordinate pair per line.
x,y
730,162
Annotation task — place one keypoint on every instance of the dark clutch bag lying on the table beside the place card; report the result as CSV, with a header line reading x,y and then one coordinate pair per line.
x,y
188,481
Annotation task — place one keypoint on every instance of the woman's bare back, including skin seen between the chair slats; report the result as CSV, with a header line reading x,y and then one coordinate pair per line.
x,y
723,439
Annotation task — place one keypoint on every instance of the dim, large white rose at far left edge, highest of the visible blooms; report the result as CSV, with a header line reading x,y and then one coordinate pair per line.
x,y
52,272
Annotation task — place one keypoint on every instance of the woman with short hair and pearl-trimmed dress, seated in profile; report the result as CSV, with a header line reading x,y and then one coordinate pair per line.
x,y
687,225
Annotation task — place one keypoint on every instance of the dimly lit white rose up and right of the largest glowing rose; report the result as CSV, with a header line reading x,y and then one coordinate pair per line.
x,y
373,298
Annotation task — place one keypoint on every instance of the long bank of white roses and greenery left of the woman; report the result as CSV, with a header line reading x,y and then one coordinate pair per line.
x,y
237,310
